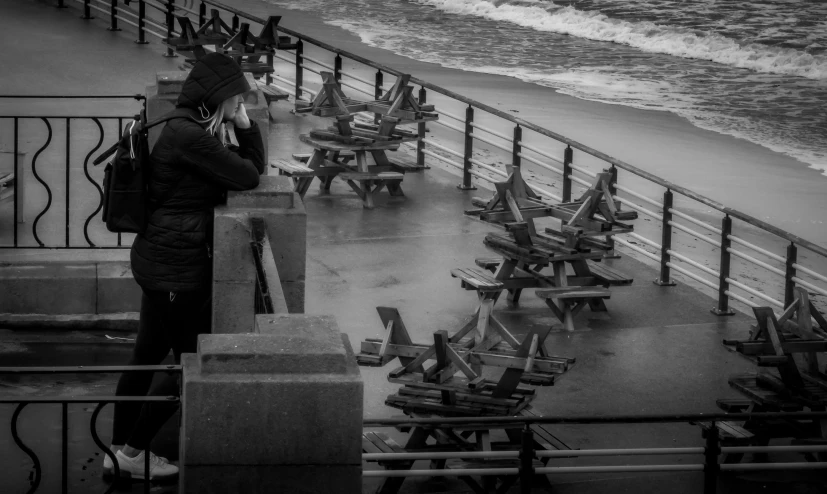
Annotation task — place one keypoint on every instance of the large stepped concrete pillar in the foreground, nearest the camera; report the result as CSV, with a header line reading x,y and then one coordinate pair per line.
x,y
276,411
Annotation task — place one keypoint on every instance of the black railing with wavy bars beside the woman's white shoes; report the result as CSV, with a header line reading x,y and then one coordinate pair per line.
x,y
64,401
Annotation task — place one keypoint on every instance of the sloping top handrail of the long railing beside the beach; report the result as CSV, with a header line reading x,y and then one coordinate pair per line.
x,y
548,133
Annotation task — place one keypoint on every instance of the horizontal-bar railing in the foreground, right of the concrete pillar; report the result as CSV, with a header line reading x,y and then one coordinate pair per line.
x,y
709,464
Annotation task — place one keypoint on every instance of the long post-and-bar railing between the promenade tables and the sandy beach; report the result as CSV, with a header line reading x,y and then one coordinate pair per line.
x,y
527,142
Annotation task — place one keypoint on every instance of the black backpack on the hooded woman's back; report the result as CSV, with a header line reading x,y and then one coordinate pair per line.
x,y
126,203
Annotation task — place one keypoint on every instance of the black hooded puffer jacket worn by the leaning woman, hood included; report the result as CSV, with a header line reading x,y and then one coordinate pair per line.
x,y
191,173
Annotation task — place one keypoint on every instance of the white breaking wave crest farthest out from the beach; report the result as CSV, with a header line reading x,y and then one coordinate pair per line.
x,y
643,35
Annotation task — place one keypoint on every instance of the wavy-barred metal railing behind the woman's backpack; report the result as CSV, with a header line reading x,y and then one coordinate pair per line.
x,y
55,167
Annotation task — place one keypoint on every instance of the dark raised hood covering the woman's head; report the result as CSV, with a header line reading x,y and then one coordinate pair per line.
x,y
213,79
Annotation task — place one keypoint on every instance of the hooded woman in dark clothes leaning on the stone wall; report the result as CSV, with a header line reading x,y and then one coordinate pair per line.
x,y
192,168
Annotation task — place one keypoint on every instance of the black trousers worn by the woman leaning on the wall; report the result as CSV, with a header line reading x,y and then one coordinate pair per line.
x,y
169,322
